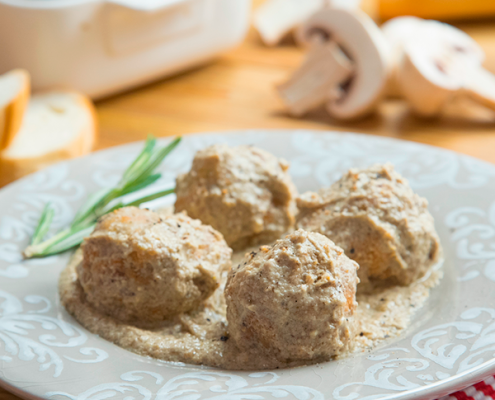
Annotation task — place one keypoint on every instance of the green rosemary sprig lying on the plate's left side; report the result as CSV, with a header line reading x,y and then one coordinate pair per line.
x,y
139,175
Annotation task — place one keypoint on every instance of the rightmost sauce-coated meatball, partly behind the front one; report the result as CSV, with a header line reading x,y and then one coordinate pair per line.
x,y
378,220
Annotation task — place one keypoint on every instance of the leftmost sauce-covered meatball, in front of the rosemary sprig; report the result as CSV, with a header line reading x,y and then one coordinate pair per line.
x,y
143,268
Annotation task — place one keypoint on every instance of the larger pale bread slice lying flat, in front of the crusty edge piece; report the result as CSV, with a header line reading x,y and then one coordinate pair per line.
x,y
56,126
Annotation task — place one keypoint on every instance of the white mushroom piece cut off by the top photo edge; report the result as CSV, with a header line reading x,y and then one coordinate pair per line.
x,y
274,19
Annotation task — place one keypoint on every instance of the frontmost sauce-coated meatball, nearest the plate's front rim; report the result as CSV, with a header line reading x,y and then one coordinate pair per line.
x,y
293,301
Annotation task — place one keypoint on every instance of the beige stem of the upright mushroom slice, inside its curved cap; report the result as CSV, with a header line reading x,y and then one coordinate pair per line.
x,y
318,78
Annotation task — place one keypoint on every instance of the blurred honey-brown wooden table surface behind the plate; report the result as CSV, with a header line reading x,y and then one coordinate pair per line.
x,y
236,91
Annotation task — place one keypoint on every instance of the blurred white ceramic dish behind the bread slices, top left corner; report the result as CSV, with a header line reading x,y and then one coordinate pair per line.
x,y
104,46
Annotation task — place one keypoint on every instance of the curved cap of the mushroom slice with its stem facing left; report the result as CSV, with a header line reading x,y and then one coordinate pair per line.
x,y
363,42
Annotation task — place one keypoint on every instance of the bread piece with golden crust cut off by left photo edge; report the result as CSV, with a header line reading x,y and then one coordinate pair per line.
x,y
15,87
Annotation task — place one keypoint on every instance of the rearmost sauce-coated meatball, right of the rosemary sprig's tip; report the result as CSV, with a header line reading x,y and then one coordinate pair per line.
x,y
243,192
